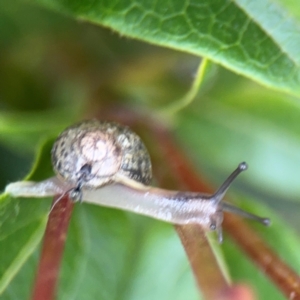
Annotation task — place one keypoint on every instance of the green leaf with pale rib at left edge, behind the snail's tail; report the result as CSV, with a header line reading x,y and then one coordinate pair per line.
x,y
22,223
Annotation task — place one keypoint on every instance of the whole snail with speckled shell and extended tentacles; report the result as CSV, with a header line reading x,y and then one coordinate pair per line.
x,y
107,164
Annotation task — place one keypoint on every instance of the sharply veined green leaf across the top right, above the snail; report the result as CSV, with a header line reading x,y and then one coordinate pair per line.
x,y
242,35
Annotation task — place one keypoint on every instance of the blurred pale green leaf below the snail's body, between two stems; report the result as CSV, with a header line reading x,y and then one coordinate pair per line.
x,y
111,256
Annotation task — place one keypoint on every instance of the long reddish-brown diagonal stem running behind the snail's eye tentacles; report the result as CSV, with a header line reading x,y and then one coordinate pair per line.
x,y
246,238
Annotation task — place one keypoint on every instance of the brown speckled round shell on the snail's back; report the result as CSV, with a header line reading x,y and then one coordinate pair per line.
x,y
108,148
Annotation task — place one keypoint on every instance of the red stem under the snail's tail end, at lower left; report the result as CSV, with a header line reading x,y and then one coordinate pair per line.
x,y
52,250
